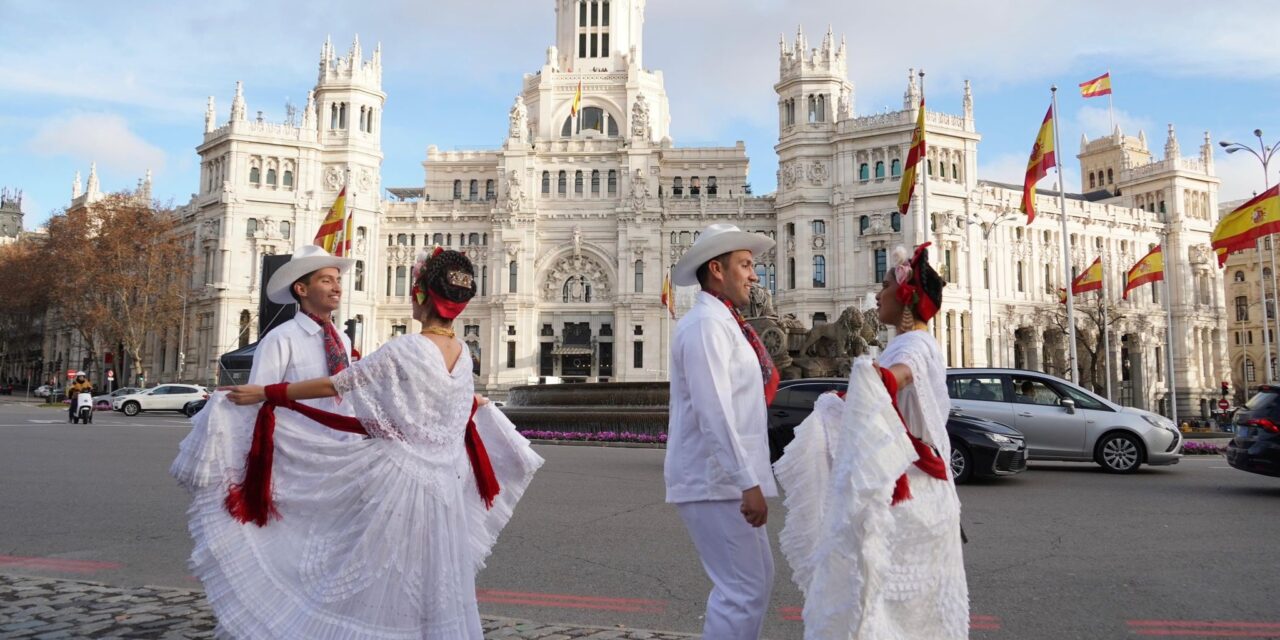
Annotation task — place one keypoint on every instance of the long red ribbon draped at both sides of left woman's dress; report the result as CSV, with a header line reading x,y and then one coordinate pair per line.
x,y
252,501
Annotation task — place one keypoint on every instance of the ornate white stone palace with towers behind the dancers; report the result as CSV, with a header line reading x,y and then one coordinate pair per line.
x,y
574,222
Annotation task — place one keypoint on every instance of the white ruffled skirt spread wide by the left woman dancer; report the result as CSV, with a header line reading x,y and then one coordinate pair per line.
x,y
374,542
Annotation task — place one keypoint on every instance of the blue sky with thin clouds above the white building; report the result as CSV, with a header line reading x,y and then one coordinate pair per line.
x,y
125,84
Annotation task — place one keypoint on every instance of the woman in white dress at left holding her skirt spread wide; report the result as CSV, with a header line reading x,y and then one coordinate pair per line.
x,y
380,538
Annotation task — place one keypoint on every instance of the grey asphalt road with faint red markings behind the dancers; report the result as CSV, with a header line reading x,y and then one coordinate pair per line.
x,y
1060,551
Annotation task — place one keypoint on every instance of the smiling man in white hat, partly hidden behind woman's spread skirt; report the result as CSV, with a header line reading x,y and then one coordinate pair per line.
x,y
308,346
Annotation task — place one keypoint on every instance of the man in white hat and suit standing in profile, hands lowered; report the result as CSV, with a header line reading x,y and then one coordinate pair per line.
x,y
717,467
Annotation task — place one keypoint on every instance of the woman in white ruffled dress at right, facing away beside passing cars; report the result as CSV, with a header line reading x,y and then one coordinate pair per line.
x,y
874,520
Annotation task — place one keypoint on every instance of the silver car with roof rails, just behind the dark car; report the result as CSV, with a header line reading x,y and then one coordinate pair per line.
x,y
1066,423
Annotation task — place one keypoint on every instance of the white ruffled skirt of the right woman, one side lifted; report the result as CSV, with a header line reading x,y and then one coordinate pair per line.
x,y
870,570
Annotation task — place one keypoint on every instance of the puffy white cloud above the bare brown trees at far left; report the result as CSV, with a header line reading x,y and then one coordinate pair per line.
x,y
104,139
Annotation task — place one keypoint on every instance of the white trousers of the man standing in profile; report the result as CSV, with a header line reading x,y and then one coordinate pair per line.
x,y
738,561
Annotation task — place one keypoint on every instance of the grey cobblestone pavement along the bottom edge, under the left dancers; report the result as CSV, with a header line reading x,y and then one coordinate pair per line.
x,y
43,609
